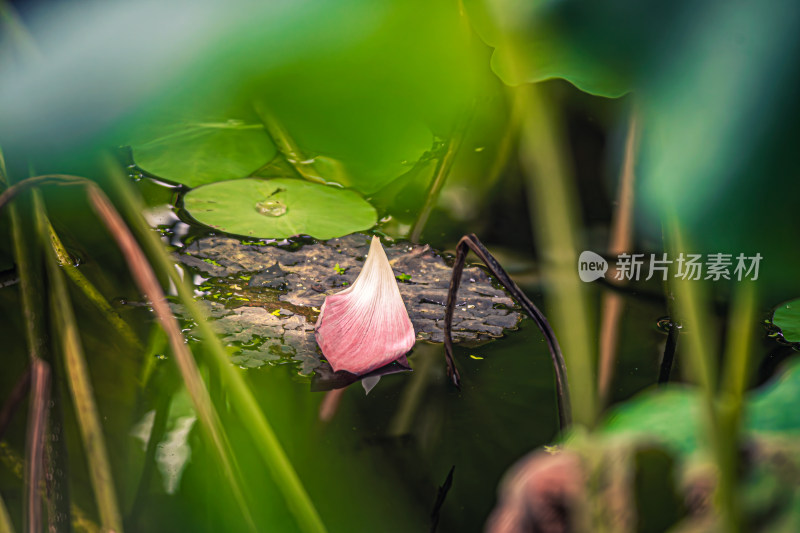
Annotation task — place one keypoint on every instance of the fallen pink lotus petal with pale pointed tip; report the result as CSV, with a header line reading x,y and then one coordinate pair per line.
x,y
366,326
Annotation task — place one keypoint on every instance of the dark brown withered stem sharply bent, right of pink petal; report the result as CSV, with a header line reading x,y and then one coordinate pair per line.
x,y
471,242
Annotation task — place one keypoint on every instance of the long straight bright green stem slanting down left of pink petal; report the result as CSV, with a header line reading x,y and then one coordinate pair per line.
x,y
241,397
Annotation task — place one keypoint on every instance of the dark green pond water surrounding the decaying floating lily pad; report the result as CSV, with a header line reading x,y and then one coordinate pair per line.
x,y
370,462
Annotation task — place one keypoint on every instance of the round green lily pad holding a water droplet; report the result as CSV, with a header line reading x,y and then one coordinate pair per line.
x,y
279,208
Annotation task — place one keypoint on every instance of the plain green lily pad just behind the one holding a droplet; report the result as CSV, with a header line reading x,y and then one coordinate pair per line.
x,y
200,153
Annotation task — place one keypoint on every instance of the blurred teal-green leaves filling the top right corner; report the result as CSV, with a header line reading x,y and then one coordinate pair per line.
x,y
713,85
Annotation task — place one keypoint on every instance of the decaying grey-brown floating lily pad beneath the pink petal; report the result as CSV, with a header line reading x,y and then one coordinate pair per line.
x,y
266,297
